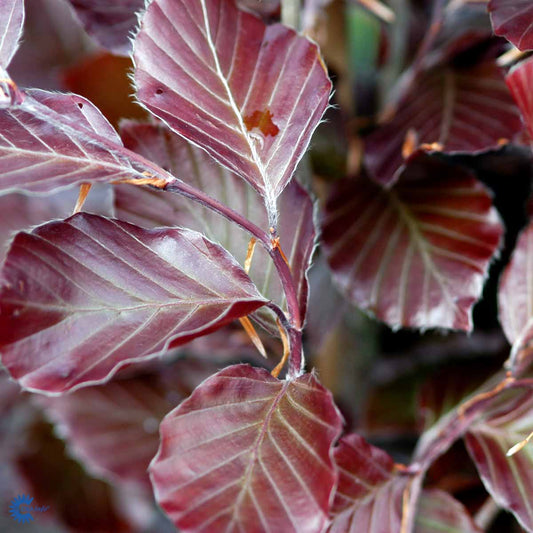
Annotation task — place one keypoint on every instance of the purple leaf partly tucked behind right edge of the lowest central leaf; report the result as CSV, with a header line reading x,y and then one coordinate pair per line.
x,y
371,492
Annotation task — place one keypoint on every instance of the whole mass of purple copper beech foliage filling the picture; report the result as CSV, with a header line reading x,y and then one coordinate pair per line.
x,y
202,215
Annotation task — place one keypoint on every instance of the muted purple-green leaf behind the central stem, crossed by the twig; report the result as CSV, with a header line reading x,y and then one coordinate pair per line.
x,y
151,208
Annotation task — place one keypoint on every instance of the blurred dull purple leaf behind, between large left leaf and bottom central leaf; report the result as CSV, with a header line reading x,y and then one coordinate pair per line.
x,y
123,414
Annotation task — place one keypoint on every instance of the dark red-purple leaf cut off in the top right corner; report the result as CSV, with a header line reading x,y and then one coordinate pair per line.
x,y
513,19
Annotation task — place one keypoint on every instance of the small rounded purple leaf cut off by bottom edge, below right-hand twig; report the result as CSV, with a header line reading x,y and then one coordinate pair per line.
x,y
439,512
